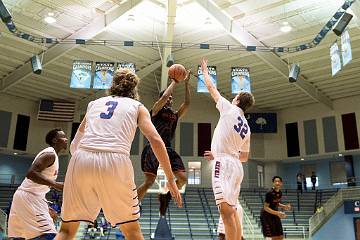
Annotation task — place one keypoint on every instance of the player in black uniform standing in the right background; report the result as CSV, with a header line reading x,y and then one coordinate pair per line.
x,y
270,215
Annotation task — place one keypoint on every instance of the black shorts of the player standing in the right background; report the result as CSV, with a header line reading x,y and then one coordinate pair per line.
x,y
271,224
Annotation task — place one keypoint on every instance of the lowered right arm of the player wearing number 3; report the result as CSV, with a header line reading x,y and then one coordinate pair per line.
x,y
158,146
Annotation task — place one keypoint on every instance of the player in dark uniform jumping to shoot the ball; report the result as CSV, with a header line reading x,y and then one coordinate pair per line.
x,y
165,119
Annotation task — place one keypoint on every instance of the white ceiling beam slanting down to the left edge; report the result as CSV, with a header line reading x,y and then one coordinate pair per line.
x,y
57,50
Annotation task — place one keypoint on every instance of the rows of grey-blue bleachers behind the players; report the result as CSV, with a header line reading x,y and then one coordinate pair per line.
x,y
198,218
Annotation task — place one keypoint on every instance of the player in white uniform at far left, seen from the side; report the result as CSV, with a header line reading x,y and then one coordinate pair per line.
x,y
29,214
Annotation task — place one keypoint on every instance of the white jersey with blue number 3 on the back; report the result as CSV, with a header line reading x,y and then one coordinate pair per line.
x,y
111,123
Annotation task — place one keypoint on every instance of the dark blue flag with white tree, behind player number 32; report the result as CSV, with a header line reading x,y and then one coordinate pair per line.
x,y
262,122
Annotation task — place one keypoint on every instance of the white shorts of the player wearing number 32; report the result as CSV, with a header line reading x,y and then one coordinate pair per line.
x,y
227,175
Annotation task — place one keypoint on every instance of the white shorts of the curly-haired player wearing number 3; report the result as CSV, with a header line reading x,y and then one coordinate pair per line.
x,y
100,180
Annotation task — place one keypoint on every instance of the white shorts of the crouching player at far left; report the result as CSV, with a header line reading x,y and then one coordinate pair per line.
x,y
29,216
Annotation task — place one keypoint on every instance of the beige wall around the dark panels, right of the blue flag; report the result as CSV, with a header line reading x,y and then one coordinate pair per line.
x,y
275,144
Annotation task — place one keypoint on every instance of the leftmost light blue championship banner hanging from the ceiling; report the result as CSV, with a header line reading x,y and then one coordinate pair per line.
x,y
81,74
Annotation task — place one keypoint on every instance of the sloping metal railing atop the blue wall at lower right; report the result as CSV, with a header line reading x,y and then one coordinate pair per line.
x,y
330,207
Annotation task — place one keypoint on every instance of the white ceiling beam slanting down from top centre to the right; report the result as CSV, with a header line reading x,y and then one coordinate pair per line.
x,y
241,35
